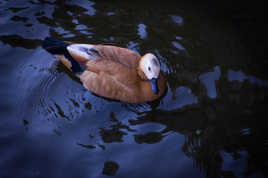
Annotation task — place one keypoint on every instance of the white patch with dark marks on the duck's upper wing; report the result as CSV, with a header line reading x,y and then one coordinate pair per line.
x,y
84,50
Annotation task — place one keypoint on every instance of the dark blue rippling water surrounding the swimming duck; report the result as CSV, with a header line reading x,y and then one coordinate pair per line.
x,y
210,123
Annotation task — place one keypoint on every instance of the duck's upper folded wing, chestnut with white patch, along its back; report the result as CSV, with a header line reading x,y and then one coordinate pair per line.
x,y
84,53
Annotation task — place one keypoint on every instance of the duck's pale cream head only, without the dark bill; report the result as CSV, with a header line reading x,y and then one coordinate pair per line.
x,y
150,66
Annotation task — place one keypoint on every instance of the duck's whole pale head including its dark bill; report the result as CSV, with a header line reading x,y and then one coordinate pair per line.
x,y
150,67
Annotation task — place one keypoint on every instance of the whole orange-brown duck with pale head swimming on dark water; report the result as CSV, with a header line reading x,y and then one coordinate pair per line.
x,y
111,71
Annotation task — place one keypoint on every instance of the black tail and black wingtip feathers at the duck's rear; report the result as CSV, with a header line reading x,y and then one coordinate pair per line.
x,y
58,47
